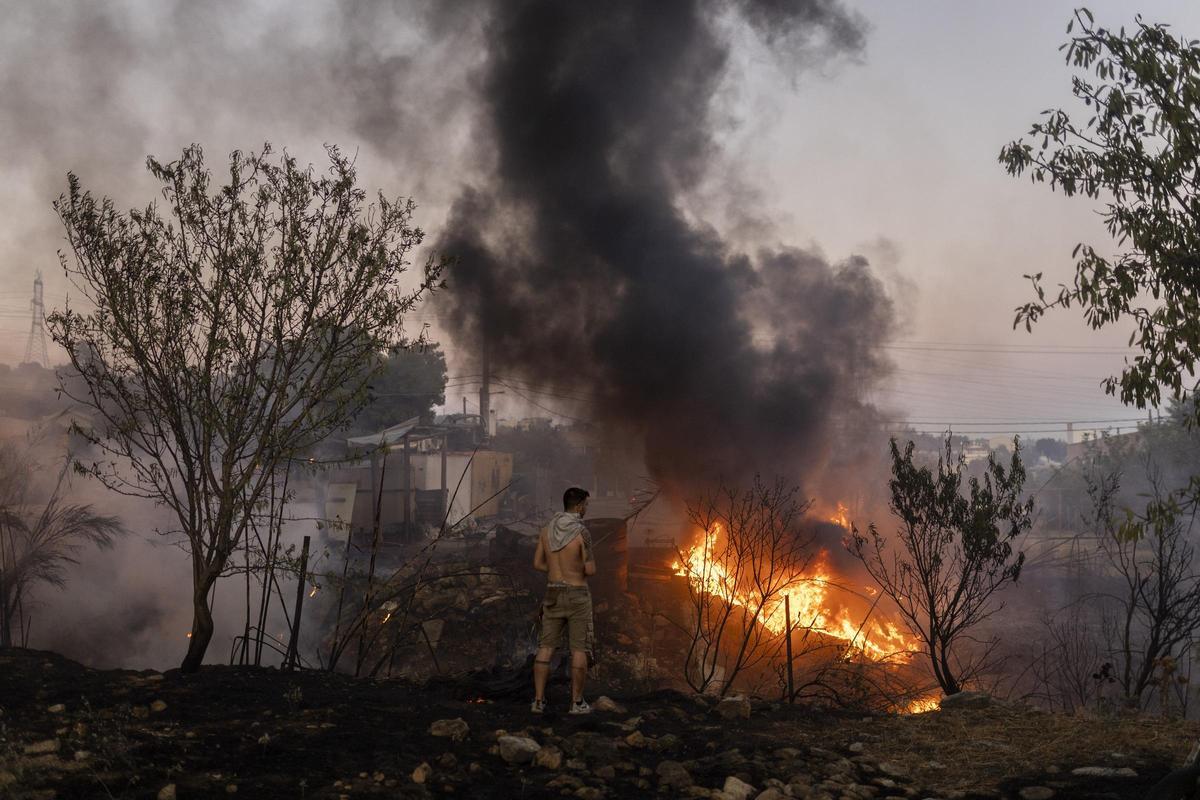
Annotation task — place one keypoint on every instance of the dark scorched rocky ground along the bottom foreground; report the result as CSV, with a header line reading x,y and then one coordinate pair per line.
x,y
71,732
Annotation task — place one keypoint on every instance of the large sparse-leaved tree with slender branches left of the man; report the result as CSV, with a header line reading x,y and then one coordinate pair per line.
x,y
229,335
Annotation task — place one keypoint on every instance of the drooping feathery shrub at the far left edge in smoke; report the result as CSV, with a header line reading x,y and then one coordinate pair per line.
x,y
39,540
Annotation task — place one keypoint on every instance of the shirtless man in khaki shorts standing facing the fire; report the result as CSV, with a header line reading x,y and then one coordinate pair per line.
x,y
565,552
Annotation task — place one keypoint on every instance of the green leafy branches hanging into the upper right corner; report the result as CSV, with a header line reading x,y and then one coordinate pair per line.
x,y
1139,153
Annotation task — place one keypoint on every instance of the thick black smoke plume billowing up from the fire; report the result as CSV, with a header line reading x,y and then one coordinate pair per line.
x,y
581,272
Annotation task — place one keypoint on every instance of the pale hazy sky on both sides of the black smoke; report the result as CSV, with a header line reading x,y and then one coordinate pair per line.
x,y
892,157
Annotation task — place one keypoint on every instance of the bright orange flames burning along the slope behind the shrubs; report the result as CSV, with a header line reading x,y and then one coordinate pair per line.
x,y
713,570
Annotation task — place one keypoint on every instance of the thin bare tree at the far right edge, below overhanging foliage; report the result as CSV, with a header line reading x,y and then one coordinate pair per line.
x,y
1156,610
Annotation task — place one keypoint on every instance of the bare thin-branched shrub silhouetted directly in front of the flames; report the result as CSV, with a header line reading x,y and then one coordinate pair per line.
x,y
754,552
